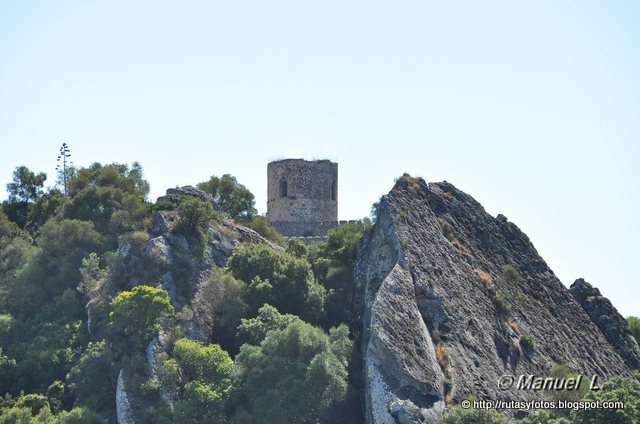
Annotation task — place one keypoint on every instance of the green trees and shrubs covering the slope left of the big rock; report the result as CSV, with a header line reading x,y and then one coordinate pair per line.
x,y
82,296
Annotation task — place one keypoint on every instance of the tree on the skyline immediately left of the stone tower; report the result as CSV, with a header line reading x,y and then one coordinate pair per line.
x,y
234,199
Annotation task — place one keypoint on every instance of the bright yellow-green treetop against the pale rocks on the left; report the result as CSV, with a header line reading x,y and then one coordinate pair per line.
x,y
136,316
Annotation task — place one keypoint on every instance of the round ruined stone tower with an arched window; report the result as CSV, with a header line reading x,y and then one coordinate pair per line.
x,y
302,196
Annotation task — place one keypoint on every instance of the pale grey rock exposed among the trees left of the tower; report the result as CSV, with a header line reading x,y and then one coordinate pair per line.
x,y
171,248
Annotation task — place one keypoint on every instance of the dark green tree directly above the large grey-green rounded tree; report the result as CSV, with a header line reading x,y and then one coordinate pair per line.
x,y
279,279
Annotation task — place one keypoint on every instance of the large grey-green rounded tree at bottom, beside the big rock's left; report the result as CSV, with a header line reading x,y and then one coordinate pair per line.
x,y
299,366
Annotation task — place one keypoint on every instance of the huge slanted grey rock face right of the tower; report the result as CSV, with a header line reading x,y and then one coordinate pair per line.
x,y
434,332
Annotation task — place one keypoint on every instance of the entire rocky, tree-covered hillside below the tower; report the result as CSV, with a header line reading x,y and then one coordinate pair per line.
x,y
115,309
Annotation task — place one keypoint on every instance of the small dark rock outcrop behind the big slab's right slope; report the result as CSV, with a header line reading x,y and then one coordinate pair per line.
x,y
609,321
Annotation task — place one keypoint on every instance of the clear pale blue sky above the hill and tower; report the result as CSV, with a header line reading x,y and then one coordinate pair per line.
x,y
532,108
